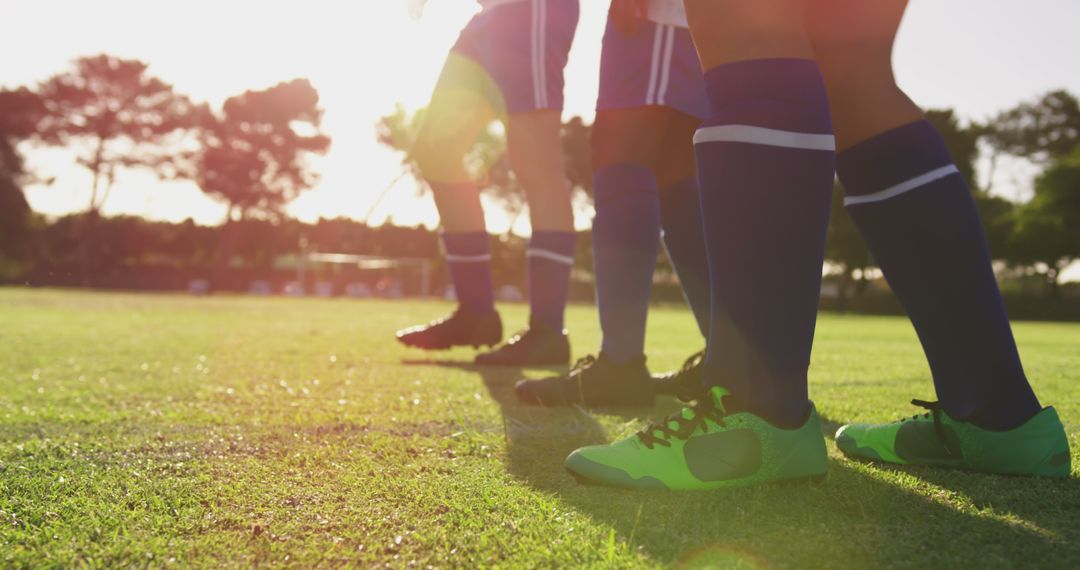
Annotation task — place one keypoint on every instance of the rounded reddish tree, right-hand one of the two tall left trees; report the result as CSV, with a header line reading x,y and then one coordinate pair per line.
x,y
255,153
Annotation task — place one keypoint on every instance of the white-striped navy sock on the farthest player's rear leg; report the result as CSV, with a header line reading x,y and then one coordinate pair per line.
x,y
551,260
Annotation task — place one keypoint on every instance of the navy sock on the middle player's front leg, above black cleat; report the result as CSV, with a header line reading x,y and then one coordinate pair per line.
x,y
626,245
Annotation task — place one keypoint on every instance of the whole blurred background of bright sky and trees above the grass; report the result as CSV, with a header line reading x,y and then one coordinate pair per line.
x,y
263,147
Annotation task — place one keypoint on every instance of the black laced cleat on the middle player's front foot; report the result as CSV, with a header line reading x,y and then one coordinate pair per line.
x,y
593,383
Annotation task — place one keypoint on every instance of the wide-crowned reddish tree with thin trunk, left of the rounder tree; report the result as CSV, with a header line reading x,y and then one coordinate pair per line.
x,y
114,115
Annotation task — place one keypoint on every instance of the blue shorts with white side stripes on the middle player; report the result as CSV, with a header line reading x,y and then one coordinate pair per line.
x,y
658,65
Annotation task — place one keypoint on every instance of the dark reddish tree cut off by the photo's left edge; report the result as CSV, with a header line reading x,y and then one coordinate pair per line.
x,y
20,113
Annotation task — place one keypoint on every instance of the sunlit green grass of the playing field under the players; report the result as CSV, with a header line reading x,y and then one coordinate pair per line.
x,y
166,430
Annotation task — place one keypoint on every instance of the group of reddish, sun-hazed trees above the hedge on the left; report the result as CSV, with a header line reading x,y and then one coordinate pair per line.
x,y
114,115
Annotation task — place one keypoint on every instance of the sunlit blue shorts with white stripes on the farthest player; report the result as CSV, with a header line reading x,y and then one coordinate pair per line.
x,y
523,46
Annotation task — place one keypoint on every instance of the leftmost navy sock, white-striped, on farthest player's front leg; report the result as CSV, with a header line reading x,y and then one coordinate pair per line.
x,y
469,256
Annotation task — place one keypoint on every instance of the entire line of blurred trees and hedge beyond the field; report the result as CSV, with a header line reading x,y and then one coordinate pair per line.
x,y
252,155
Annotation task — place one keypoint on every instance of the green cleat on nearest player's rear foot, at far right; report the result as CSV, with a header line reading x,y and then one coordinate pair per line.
x,y
1039,447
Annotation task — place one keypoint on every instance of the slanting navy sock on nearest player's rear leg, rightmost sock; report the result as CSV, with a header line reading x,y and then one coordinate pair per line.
x,y
917,214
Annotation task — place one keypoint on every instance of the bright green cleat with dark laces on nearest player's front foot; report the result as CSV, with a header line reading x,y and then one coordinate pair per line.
x,y
705,447
